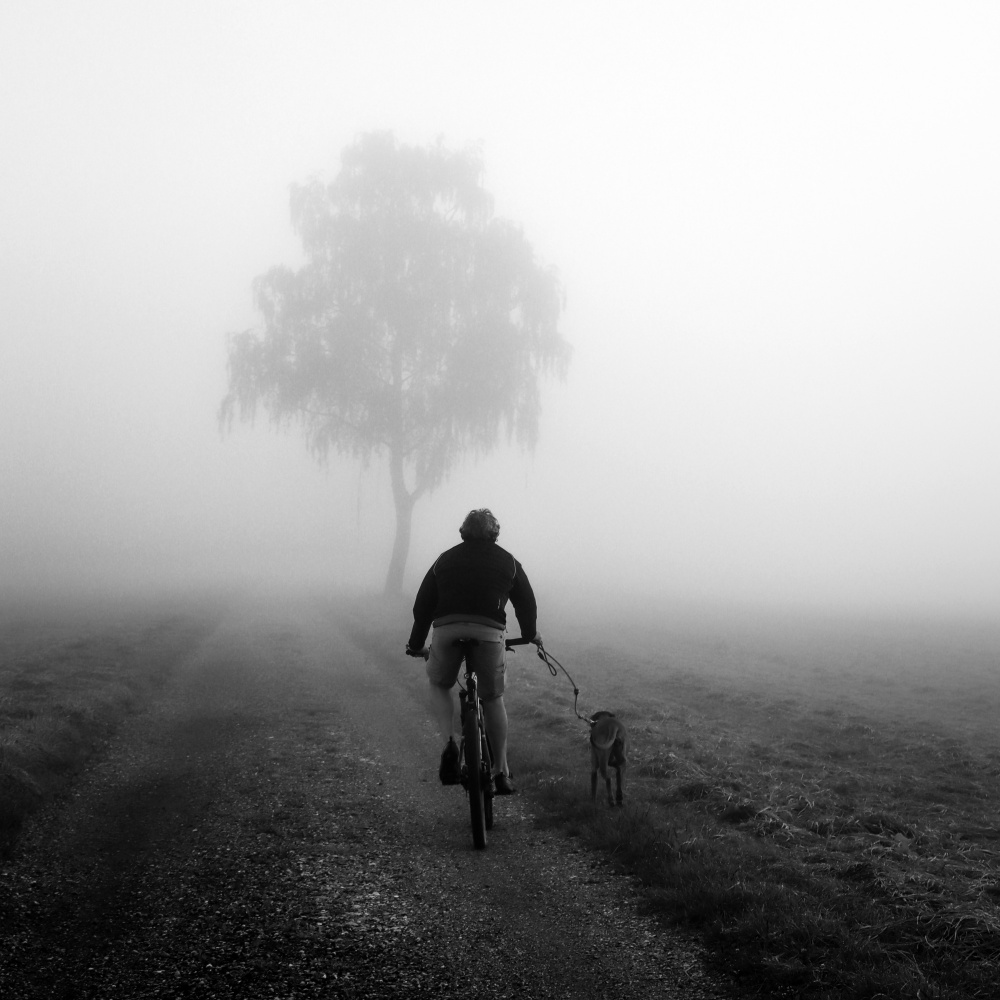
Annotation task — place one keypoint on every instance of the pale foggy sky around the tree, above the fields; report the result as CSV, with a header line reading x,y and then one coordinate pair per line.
x,y
777,227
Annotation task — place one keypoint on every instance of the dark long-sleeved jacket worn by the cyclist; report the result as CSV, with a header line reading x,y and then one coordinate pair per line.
x,y
473,582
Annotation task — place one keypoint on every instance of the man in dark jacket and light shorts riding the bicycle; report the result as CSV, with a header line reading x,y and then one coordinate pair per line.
x,y
464,596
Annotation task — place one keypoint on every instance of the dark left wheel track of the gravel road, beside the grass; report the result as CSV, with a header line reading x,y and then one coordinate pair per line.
x,y
79,891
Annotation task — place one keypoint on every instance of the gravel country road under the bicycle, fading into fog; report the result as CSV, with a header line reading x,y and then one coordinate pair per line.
x,y
273,827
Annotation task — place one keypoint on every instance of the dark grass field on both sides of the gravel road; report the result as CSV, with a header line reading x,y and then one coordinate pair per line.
x,y
816,798
